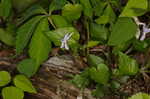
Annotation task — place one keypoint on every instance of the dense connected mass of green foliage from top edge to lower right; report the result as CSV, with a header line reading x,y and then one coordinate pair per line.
x,y
40,26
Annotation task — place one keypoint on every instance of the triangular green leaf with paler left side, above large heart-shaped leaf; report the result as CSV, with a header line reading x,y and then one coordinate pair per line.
x,y
107,17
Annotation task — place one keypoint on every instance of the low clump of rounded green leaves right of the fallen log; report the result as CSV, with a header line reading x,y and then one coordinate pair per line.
x,y
106,79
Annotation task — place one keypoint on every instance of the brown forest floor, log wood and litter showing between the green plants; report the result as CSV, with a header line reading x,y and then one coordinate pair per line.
x,y
53,83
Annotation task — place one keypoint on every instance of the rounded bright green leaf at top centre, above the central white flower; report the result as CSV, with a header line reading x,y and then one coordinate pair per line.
x,y
72,11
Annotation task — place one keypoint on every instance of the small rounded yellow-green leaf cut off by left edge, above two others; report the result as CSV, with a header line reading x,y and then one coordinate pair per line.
x,y
5,78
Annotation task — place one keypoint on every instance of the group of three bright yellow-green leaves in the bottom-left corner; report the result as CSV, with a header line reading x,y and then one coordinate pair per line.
x,y
15,89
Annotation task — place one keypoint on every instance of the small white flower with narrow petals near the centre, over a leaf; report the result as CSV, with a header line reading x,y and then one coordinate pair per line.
x,y
65,40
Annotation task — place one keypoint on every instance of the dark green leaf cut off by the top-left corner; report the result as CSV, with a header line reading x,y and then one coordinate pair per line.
x,y
5,8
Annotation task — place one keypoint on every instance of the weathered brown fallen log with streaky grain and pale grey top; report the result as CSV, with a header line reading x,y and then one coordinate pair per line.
x,y
51,81
